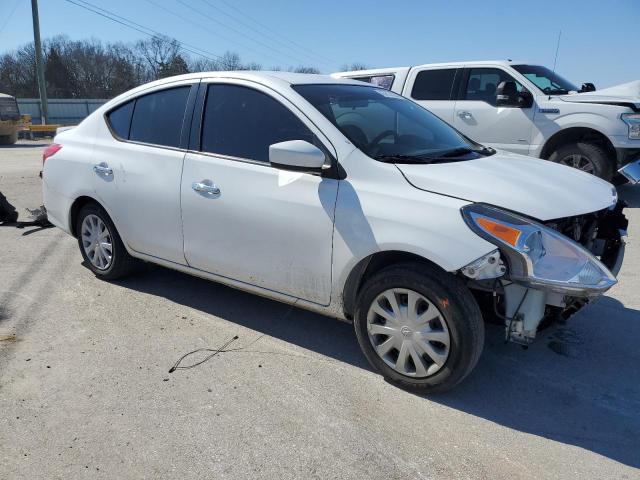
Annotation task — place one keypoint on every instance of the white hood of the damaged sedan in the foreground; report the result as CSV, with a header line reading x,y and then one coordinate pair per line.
x,y
527,185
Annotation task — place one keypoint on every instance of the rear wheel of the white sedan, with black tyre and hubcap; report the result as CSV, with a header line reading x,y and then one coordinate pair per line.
x,y
100,244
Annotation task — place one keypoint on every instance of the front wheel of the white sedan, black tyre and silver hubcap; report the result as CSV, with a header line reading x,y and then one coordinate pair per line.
x,y
419,326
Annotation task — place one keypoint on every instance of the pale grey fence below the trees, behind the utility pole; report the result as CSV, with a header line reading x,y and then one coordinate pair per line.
x,y
63,111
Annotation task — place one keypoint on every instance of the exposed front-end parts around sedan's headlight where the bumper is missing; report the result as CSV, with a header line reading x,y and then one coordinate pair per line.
x,y
523,309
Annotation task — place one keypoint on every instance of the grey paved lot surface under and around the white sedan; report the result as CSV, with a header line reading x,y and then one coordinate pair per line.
x,y
85,390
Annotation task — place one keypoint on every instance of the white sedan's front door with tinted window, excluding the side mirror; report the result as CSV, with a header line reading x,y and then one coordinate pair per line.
x,y
243,219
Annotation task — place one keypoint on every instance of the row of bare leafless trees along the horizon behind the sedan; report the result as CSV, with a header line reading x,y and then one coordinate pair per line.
x,y
95,69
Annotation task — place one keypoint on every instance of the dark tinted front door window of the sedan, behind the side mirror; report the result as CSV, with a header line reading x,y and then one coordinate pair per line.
x,y
242,122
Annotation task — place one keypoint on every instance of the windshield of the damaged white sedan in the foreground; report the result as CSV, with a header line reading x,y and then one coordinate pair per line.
x,y
386,126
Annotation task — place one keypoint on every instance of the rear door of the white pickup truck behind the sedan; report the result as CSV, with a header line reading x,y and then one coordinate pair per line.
x,y
434,89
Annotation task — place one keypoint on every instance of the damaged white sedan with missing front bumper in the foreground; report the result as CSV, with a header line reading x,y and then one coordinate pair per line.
x,y
342,198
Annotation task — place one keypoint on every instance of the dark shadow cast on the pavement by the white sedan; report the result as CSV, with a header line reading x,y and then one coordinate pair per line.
x,y
578,384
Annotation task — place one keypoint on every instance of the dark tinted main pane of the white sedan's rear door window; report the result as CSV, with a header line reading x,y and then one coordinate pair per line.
x,y
157,117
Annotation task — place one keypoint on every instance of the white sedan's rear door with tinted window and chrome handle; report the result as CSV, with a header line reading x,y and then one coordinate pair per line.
x,y
138,166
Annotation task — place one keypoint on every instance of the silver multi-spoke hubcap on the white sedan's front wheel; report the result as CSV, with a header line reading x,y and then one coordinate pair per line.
x,y
408,332
